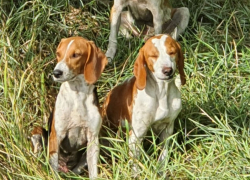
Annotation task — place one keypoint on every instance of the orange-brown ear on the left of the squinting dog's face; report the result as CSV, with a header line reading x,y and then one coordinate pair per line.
x,y
140,71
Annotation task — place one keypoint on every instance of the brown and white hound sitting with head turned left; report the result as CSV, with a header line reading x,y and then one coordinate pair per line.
x,y
76,119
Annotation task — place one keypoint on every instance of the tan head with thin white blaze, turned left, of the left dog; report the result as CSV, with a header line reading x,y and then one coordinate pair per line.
x,y
77,55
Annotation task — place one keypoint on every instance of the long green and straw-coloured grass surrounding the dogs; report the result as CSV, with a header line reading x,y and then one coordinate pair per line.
x,y
212,133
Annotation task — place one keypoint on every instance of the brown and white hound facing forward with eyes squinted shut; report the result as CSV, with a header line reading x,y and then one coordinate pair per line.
x,y
150,98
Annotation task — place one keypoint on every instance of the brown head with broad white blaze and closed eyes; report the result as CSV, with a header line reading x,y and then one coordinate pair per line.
x,y
161,55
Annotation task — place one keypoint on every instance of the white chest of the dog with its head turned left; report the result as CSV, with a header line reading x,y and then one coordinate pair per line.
x,y
75,108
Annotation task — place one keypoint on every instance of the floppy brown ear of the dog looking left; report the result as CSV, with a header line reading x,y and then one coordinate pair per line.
x,y
95,64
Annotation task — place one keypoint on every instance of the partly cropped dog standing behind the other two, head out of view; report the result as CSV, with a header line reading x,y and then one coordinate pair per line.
x,y
157,15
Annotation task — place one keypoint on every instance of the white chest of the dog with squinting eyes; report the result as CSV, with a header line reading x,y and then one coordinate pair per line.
x,y
159,107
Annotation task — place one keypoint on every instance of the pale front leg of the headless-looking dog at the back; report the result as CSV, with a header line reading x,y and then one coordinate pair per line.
x,y
115,20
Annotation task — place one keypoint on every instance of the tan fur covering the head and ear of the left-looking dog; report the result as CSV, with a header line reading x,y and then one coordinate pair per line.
x,y
82,57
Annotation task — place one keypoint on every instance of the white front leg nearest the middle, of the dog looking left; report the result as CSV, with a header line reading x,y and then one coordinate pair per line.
x,y
93,151
